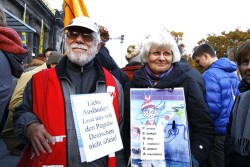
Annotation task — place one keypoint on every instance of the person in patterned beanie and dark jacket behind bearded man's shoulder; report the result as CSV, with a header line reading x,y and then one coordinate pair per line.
x,y
105,59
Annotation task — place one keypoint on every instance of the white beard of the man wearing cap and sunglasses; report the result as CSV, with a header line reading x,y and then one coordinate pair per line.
x,y
80,59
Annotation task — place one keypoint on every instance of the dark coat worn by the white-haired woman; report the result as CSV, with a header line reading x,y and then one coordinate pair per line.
x,y
200,123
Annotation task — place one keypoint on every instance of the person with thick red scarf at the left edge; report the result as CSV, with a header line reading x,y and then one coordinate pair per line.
x,y
12,55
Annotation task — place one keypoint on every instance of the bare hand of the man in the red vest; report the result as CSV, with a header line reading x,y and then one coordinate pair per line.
x,y
39,138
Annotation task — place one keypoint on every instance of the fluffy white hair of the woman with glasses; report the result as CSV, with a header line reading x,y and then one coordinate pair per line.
x,y
163,40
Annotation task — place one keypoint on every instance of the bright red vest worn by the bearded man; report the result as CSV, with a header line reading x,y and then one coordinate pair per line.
x,y
48,105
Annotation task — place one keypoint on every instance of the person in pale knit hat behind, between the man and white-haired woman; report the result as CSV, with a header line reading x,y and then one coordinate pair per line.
x,y
134,61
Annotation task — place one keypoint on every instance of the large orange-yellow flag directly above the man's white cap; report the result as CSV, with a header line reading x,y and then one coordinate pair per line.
x,y
72,9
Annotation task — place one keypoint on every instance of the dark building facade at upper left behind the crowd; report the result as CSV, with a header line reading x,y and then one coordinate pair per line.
x,y
36,11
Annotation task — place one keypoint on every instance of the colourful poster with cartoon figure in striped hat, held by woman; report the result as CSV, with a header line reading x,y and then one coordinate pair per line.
x,y
159,128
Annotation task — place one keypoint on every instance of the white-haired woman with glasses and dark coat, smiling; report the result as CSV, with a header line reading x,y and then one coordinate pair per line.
x,y
160,55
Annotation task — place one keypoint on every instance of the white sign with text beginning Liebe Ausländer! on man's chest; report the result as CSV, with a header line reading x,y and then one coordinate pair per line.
x,y
96,125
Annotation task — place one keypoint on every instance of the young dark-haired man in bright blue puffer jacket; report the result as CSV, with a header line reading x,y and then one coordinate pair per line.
x,y
221,86
